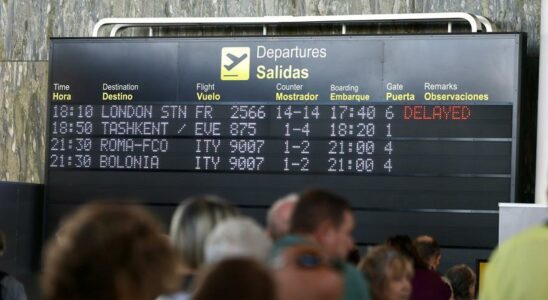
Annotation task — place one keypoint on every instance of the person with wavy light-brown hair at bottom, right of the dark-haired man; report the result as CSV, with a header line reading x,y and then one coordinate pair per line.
x,y
389,272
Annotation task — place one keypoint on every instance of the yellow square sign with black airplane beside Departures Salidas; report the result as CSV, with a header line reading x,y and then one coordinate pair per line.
x,y
235,63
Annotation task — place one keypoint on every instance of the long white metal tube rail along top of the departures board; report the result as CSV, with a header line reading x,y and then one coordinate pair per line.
x,y
477,23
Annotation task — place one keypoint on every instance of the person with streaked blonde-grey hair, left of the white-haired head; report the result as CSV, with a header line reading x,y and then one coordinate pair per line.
x,y
192,221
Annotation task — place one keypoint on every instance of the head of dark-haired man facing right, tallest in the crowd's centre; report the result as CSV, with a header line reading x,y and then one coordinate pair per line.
x,y
327,218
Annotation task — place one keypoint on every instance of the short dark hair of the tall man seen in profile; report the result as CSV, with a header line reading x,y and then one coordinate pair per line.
x,y
316,206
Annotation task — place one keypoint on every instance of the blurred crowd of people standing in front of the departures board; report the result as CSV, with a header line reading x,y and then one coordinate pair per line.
x,y
120,252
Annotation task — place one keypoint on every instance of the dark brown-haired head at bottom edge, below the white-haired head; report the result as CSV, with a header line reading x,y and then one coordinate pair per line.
x,y
235,279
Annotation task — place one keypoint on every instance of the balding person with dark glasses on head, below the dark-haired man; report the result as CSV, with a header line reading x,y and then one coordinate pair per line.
x,y
304,272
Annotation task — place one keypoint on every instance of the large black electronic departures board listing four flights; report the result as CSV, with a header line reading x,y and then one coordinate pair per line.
x,y
410,121
